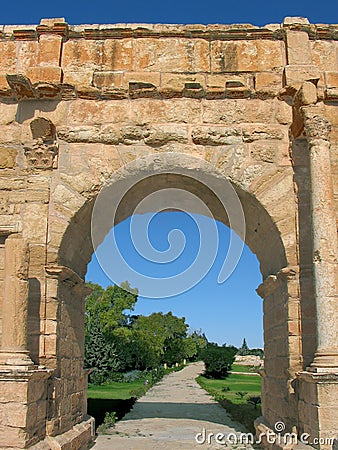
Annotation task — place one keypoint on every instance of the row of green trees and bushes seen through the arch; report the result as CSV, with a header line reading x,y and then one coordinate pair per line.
x,y
117,342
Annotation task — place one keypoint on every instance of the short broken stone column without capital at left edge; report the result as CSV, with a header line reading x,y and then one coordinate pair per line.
x,y
15,304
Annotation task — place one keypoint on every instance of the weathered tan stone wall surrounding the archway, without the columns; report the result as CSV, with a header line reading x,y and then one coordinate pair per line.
x,y
79,102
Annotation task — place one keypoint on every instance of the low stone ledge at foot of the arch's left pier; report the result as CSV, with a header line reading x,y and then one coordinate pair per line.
x,y
80,437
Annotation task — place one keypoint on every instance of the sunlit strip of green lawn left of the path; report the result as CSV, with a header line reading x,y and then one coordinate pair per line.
x,y
114,390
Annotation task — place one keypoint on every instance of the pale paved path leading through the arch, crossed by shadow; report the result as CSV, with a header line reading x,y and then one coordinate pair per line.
x,y
170,416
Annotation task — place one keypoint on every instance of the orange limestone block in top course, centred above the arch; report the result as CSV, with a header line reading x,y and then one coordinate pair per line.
x,y
172,55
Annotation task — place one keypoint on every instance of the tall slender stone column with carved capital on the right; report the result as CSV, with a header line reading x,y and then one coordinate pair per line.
x,y
324,238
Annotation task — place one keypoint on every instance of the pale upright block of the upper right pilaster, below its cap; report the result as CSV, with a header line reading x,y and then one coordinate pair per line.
x,y
298,47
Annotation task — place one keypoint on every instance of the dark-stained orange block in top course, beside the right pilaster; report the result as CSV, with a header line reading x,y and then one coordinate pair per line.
x,y
246,56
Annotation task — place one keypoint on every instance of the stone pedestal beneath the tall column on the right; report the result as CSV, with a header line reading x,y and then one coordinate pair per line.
x,y
317,407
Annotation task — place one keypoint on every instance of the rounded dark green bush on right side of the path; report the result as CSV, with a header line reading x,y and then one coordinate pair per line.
x,y
218,360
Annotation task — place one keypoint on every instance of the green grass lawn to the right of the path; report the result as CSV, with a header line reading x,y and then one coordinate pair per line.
x,y
239,409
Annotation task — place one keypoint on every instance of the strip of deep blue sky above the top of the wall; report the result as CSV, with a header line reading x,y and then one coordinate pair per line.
x,y
257,12
